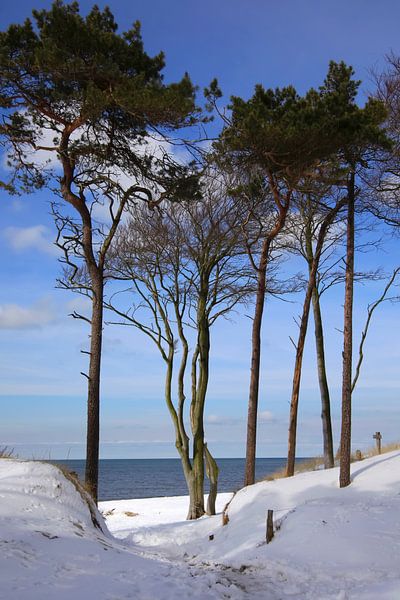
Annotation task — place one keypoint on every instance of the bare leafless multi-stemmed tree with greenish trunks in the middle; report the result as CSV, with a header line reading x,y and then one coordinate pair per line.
x,y
186,270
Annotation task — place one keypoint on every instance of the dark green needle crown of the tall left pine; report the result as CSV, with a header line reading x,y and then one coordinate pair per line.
x,y
94,90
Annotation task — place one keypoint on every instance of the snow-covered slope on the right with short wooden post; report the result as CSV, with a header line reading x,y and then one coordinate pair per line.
x,y
331,543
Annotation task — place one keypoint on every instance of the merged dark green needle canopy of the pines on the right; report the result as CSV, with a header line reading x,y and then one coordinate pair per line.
x,y
285,133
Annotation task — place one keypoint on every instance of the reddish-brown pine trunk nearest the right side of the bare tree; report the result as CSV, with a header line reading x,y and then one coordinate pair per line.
x,y
250,468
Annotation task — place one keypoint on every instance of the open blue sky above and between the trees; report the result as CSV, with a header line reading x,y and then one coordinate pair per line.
x,y
42,395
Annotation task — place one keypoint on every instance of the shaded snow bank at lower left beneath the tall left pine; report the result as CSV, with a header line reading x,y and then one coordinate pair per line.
x,y
50,549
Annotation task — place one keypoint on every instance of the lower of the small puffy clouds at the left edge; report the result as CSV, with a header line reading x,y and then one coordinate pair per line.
x,y
14,316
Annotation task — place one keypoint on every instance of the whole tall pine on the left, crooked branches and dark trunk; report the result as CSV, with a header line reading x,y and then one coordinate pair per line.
x,y
86,97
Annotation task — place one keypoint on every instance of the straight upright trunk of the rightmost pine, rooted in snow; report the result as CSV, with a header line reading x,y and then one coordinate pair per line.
x,y
345,437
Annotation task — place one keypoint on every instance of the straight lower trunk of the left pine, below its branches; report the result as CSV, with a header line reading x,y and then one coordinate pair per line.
x,y
93,412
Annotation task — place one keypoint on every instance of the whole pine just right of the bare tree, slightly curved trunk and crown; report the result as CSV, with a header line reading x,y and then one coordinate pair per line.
x,y
280,137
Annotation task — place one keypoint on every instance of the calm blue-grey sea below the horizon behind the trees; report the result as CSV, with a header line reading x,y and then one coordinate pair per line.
x,y
146,478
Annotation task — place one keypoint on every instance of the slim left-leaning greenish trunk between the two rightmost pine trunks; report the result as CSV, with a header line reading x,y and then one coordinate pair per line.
x,y
329,460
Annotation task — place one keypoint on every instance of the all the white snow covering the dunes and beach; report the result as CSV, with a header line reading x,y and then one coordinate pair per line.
x,y
330,543
